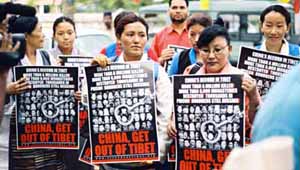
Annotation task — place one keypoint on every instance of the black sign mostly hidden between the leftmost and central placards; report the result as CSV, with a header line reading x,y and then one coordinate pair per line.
x,y
80,62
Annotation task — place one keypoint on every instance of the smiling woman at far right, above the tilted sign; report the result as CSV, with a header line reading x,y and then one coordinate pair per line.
x,y
275,23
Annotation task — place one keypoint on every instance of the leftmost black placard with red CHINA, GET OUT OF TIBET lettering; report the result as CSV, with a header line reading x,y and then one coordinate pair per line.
x,y
47,113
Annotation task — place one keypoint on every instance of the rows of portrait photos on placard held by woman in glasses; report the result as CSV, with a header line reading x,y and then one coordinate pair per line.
x,y
197,126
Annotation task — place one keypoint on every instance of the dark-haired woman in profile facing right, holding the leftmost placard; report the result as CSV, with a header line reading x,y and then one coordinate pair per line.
x,y
37,158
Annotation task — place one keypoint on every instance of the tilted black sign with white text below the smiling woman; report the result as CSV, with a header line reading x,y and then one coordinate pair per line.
x,y
265,67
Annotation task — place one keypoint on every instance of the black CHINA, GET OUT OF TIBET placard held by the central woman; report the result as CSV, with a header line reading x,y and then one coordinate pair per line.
x,y
122,112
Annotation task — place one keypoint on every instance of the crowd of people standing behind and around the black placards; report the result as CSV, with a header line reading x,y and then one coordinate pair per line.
x,y
208,50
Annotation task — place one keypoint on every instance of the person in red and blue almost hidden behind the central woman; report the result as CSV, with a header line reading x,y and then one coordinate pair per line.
x,y
114,49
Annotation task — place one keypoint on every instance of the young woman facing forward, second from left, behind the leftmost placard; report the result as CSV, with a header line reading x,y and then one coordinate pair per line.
x,y
64,33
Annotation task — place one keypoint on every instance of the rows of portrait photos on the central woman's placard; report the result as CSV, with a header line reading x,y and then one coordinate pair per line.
x,y
110,110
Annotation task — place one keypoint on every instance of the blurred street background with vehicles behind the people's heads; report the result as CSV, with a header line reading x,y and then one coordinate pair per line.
x,y
242,17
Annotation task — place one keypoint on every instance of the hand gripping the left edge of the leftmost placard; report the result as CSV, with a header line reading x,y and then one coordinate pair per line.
x,y
18,86
